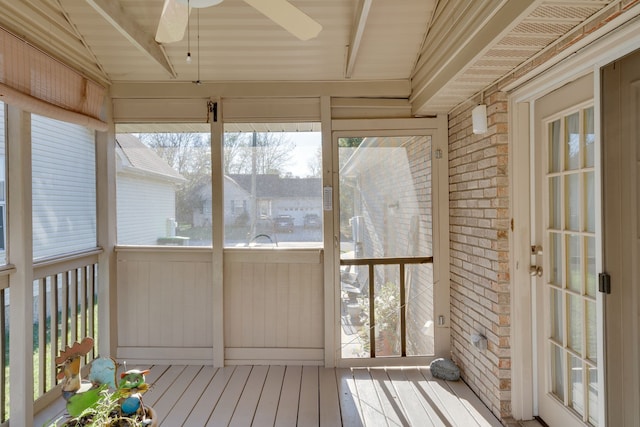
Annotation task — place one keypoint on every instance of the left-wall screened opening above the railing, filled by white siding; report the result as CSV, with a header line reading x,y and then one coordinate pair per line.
x,y
64,187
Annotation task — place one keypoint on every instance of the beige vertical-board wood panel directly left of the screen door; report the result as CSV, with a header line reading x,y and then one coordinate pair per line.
x,y
273,306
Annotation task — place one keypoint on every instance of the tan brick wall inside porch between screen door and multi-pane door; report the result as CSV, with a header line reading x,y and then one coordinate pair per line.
x,y
479,215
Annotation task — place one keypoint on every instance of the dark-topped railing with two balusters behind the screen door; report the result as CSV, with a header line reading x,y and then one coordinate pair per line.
x,y
371,264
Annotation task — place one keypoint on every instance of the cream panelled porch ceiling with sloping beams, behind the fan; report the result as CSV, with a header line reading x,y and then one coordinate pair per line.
x,y
446,50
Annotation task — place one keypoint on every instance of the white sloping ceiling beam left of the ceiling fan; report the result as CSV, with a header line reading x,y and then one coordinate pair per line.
x,y
112,12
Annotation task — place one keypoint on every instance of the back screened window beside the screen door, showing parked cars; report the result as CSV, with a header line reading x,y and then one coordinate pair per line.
x,y
272,185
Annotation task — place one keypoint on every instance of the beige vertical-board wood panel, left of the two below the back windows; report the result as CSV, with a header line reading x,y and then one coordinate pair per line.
x,y
165,310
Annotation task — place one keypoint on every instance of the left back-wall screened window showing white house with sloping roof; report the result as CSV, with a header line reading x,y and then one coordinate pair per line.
x,y
163,184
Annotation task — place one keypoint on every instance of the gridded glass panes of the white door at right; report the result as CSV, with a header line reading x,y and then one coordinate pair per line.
x,y
571,279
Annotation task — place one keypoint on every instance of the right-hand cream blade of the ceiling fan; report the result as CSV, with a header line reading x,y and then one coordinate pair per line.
x,y
288,17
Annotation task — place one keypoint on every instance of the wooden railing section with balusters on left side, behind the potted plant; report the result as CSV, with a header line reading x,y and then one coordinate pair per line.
x,y
65,292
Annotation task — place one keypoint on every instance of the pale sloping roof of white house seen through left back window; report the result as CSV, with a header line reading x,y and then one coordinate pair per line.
x,y
142,158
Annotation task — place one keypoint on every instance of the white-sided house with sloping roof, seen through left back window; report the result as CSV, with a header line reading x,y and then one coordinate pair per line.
x,y
146,193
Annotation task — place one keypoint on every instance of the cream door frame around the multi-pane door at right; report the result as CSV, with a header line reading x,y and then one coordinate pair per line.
x,y
522,99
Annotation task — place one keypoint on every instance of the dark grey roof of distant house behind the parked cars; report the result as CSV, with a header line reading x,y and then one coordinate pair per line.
x,y
270,185
